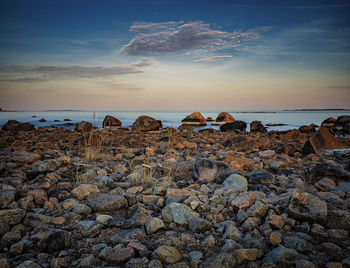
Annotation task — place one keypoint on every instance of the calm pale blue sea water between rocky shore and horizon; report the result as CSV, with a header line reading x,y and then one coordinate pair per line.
x,y
293,119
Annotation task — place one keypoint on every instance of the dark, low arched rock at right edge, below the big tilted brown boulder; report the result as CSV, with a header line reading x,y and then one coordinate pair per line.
x,y
322,170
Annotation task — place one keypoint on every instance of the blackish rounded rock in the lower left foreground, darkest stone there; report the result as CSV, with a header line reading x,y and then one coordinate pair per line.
x,y
56,240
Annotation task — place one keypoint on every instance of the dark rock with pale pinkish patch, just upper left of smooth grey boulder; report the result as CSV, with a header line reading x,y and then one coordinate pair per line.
x,y
208,170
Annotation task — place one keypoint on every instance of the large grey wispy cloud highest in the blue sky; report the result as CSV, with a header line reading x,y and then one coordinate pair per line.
x,y
165,37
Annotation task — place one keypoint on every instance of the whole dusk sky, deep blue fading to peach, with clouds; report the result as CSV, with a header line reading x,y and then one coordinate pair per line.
x,y
174,55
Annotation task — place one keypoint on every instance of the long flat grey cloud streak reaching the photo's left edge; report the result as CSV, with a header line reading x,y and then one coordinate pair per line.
x,y
41,73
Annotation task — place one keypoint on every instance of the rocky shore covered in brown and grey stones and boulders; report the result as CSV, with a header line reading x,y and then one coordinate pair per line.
x,y
148,196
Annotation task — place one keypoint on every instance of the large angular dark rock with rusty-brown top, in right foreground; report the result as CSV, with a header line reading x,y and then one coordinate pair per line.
x,y
304,206
